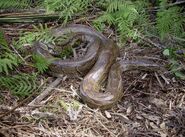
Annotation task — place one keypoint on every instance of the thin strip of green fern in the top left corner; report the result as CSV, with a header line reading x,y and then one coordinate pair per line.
x,y
7,4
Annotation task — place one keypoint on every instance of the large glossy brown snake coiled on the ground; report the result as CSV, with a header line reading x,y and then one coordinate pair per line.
x,y
97,65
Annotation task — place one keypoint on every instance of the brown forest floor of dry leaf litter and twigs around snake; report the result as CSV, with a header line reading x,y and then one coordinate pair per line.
x,y
152,105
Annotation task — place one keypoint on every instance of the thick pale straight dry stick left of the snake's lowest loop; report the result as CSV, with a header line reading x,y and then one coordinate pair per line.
x,y
45,92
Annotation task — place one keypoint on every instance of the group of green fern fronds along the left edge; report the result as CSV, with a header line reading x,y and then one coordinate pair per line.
x,y
18,83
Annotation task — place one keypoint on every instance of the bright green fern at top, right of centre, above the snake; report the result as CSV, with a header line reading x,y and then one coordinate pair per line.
x,y
121,14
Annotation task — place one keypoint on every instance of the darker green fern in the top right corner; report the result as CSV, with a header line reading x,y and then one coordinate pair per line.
x,y
170,21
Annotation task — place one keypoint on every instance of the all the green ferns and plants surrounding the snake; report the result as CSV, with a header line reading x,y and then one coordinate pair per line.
x,y
130,19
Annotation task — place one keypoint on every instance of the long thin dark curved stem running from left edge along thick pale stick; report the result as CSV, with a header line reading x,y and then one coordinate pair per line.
x,y
22,103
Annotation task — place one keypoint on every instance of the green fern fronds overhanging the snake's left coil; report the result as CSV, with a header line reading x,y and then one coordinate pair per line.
x,y
42,33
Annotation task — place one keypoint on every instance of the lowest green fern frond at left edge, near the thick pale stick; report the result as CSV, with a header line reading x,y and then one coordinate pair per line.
x,y
20,85
